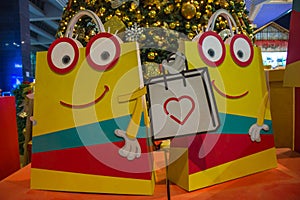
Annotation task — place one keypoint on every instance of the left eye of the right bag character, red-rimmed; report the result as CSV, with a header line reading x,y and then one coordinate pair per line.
x,y
211,48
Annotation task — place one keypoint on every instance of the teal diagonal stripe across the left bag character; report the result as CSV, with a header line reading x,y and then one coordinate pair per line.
x,y
91,134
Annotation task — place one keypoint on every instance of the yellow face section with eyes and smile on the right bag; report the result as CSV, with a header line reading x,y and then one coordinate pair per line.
x,y
234,70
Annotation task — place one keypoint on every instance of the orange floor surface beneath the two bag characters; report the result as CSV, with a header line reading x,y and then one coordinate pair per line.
x,y
281,183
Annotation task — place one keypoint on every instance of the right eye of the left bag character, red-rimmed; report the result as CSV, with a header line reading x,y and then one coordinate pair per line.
x,y
103,51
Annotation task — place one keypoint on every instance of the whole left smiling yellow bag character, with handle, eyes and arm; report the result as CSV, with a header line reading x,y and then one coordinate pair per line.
x,y
90,133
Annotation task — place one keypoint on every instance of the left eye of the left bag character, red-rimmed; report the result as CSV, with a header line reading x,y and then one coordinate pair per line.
x,y
63,55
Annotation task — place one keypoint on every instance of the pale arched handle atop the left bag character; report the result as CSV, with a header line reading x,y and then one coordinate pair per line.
x,y
77,16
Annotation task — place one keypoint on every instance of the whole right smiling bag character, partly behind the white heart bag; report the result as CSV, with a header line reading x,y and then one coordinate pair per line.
x,y
244,143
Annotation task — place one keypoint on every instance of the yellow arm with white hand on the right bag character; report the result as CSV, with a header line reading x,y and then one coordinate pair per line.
x,y
255,129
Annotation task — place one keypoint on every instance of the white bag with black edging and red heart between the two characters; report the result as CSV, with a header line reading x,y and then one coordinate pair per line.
x,y
182,104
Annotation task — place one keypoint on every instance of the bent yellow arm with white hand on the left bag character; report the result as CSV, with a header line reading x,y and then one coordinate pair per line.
x,y
132,149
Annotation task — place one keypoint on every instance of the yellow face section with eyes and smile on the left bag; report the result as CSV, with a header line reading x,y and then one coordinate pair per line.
x,y
83,84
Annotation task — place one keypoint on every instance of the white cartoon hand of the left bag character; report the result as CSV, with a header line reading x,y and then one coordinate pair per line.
x,y
131,149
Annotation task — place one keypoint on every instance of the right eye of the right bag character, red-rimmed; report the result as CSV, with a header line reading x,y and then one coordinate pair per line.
x,y
241,50
